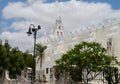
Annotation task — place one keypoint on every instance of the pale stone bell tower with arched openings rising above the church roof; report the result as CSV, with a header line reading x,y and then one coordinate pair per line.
x,y
58,30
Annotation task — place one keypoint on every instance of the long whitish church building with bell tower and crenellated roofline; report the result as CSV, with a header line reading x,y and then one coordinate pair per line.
x,y
59,42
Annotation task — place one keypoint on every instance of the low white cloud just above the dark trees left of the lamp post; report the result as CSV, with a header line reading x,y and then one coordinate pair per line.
x,y
18,39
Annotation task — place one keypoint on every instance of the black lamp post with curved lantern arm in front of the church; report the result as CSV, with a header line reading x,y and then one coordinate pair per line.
x,y
33,30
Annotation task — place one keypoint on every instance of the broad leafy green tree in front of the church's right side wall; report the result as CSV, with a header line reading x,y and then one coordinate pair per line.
x,y
89,57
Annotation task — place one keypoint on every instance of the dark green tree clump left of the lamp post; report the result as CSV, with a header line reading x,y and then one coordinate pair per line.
x,y
13,60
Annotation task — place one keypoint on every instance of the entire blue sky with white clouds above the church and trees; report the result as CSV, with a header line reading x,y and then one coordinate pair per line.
x,y
17,15
